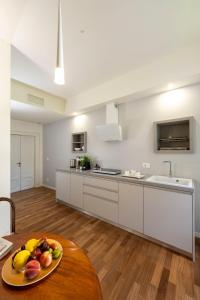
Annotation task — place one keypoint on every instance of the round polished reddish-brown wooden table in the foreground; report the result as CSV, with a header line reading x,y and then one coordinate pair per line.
x,y
74,278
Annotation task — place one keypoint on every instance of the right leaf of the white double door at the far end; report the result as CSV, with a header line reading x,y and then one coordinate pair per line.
x,y
27,161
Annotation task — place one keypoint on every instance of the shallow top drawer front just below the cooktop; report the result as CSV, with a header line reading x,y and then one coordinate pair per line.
x,y
101,183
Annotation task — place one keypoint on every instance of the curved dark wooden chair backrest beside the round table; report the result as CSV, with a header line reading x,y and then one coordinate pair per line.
x,y
7,216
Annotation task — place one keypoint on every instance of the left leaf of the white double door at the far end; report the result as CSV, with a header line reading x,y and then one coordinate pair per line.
x,y
15,163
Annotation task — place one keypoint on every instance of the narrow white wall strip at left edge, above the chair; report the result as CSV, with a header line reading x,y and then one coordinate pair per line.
x,y
4,118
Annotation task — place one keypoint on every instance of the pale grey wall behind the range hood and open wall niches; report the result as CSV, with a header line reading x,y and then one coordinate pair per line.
x,y
137,119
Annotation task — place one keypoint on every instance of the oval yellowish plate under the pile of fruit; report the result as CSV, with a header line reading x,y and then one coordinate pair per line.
x,y
14,278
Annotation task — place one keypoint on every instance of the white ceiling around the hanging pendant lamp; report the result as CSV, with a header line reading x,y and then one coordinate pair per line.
x,y
119,36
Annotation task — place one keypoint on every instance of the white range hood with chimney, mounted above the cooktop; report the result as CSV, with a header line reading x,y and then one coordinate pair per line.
x,y
111,131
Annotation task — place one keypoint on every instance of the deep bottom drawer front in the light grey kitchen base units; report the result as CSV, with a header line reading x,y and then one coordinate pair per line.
x,y
100,207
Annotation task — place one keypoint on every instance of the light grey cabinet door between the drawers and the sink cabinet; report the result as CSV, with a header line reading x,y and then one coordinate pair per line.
x,y
131,206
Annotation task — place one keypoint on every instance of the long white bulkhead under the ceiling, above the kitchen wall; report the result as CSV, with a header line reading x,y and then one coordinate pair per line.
x,y
178,67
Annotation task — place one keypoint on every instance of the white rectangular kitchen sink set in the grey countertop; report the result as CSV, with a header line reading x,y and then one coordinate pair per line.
x,y
183,182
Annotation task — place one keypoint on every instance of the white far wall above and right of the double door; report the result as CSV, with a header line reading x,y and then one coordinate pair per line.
x,y
36,130
